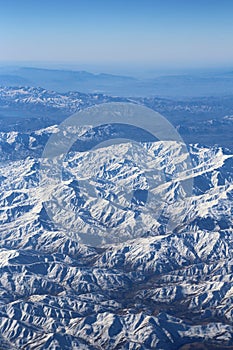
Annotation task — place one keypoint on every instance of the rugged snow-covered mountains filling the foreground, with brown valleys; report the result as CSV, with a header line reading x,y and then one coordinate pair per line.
x,y
152,287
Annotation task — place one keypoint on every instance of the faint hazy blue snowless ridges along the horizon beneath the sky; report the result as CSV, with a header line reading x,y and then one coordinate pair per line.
x,y
175,86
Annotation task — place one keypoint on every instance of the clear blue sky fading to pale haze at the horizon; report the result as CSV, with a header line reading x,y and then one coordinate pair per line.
x,y
155,33
